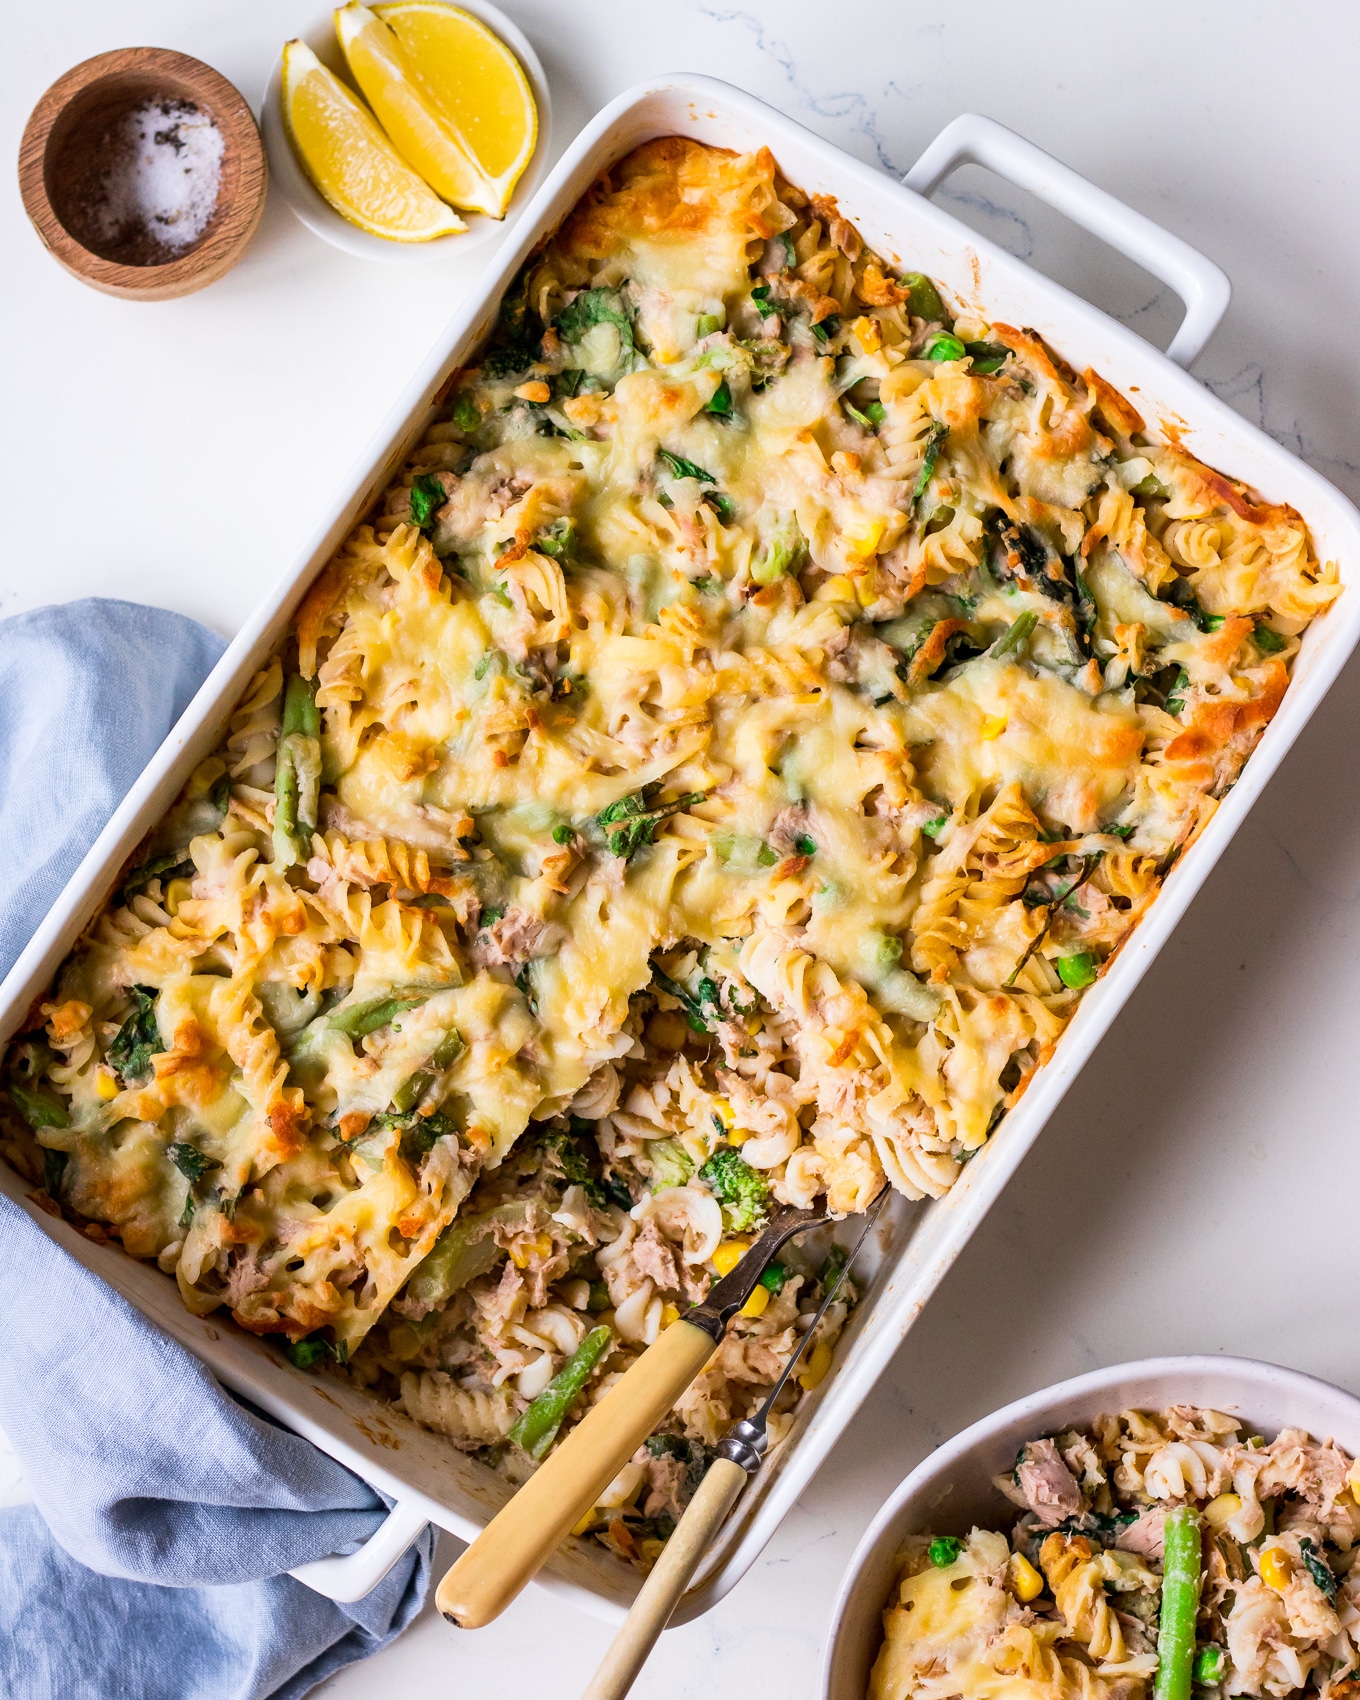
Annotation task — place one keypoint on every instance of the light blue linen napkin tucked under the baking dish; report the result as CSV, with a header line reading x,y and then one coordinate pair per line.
x,y
169,1509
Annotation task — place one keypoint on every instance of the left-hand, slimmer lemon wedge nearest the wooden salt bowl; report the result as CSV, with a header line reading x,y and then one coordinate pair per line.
x,y
351,161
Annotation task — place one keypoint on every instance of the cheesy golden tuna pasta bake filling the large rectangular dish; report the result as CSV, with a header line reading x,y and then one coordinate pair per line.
x,y
711,774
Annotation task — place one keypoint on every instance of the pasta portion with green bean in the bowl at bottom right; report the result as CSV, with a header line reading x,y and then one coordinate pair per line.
x,y
1155,1555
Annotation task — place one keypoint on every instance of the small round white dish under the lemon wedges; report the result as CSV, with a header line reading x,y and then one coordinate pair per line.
x,y
322,218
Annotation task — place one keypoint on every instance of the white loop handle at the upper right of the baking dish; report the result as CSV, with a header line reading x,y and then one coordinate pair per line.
x,y
977,140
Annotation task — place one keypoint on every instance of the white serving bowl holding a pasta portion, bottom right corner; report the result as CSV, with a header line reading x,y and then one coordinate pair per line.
x,y
953,1488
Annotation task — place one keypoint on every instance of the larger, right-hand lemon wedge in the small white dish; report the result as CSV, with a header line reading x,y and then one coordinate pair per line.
x,y
450,94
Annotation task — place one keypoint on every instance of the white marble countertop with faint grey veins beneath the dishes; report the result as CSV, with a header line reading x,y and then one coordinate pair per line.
x,y
1198,1191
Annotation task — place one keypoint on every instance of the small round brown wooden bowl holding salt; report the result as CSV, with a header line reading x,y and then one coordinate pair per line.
x,y
62,154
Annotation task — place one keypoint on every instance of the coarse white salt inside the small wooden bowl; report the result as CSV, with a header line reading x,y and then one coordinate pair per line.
x,y
162,178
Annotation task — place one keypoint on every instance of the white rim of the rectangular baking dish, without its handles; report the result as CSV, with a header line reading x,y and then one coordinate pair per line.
x,y
694,105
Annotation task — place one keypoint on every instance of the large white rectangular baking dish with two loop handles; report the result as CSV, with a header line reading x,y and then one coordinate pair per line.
x,y
428,1480
